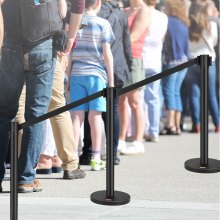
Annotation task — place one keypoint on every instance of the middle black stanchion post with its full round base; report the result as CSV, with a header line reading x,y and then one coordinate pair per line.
x,y
110,196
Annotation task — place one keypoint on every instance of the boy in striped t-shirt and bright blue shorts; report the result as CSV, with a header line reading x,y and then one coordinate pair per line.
x,y
90,68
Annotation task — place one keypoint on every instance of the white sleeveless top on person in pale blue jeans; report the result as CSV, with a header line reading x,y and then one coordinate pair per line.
x,y
153,43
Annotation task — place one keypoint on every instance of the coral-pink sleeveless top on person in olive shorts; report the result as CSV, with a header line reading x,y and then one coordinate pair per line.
x,y
137,46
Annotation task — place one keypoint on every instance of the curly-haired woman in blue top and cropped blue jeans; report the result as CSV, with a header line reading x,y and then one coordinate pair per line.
x,y
176,51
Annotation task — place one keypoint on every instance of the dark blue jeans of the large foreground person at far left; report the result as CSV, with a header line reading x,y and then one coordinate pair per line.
x,y
38,75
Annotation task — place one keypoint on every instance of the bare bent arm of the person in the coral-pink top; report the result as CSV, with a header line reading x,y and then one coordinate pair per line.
x,y
141,23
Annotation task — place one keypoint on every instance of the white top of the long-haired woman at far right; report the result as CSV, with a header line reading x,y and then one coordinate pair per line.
x,y
201,48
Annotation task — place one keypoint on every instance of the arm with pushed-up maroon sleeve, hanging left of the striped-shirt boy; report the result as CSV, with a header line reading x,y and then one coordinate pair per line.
x,y
77,9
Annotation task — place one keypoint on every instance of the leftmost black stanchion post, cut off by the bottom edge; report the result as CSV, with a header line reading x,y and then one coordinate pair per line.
x,y
13,172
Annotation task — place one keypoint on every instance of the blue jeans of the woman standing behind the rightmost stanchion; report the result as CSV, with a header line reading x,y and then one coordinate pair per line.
x,y
193,80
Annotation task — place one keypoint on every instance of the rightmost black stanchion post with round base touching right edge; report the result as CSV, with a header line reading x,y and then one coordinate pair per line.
x,y
203,164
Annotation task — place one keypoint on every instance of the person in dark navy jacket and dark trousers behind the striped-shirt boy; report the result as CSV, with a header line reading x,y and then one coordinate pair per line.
x,y
121,50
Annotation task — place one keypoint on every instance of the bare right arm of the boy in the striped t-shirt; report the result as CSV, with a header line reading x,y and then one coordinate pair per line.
x,y
108,58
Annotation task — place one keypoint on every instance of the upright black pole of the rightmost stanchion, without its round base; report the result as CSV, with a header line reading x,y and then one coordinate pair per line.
x,y
204,62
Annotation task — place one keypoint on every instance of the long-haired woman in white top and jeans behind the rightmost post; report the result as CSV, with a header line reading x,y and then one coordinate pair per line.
x,y
203,38
